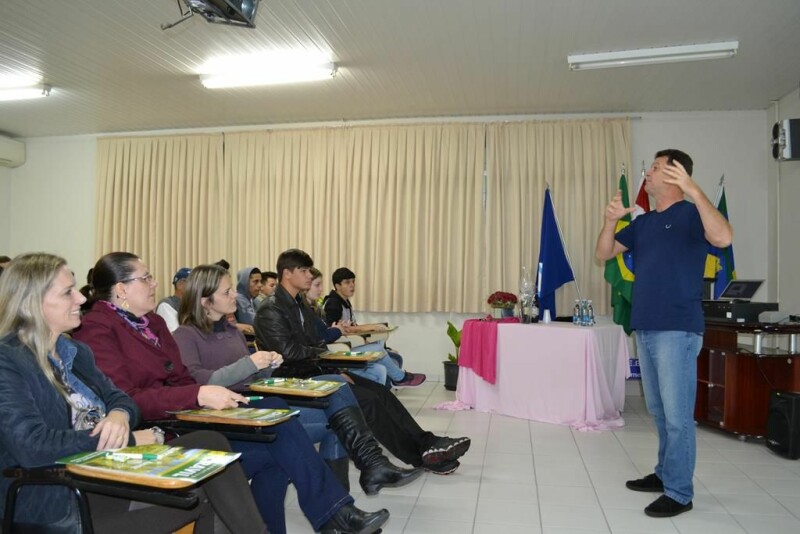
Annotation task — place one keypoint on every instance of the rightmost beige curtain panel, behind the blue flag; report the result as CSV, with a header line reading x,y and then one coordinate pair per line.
x,y
581,161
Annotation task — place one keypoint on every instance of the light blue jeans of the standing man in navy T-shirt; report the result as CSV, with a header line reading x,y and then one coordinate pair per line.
x,y
668,361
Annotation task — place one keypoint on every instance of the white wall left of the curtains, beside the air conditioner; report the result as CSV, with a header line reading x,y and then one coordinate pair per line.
x,y
51,201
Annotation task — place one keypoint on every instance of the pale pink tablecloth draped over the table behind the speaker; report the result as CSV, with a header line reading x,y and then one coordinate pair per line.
x,y
554,373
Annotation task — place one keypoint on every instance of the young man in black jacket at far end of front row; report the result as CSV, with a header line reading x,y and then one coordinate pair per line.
x,y
337,309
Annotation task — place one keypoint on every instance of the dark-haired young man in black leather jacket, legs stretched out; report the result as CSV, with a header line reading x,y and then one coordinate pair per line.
x,y
285,324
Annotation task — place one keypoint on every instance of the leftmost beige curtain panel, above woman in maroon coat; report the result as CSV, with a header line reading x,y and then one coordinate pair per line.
x,y
161,198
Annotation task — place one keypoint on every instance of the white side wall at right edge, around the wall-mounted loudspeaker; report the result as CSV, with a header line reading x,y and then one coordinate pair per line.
x,y
785,177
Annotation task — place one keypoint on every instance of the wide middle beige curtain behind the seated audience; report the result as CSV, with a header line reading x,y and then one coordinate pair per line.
x,y
399,205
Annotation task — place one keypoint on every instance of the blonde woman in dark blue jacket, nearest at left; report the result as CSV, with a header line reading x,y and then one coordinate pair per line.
x,y
54,402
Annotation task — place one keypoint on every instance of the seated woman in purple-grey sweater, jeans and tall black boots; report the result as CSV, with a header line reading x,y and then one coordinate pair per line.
x,y
215,353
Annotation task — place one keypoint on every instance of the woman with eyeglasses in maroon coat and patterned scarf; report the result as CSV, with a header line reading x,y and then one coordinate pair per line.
x,y
134,347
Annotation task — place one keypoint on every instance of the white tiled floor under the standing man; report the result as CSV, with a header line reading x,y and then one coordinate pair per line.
x,y
527,477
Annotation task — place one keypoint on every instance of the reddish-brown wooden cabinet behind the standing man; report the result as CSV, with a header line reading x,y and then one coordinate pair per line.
x,y
734,381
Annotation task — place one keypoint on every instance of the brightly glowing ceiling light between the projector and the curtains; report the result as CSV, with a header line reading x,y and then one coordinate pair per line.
x,y
272,68
